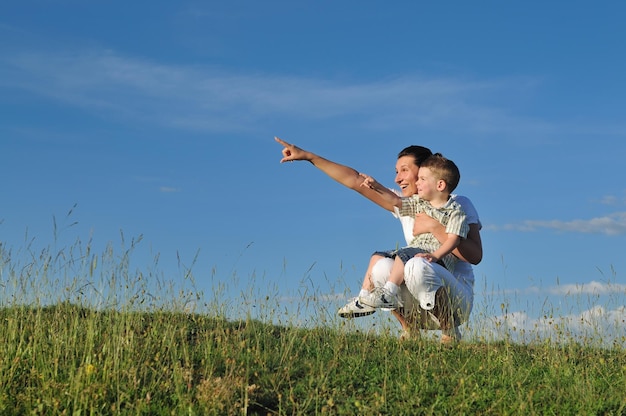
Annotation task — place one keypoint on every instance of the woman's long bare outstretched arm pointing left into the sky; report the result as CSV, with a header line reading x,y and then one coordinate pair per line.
x,y
345,175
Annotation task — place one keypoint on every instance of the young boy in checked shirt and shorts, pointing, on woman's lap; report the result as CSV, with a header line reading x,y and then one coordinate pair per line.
x,y
437,178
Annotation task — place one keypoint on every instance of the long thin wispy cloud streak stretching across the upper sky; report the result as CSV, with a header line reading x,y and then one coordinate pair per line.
x,y
207,99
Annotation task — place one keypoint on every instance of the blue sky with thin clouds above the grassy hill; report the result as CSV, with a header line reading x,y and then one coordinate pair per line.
x,y
158,118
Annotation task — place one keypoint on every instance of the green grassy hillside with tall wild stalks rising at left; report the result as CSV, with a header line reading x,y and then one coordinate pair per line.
x,y
131,354
